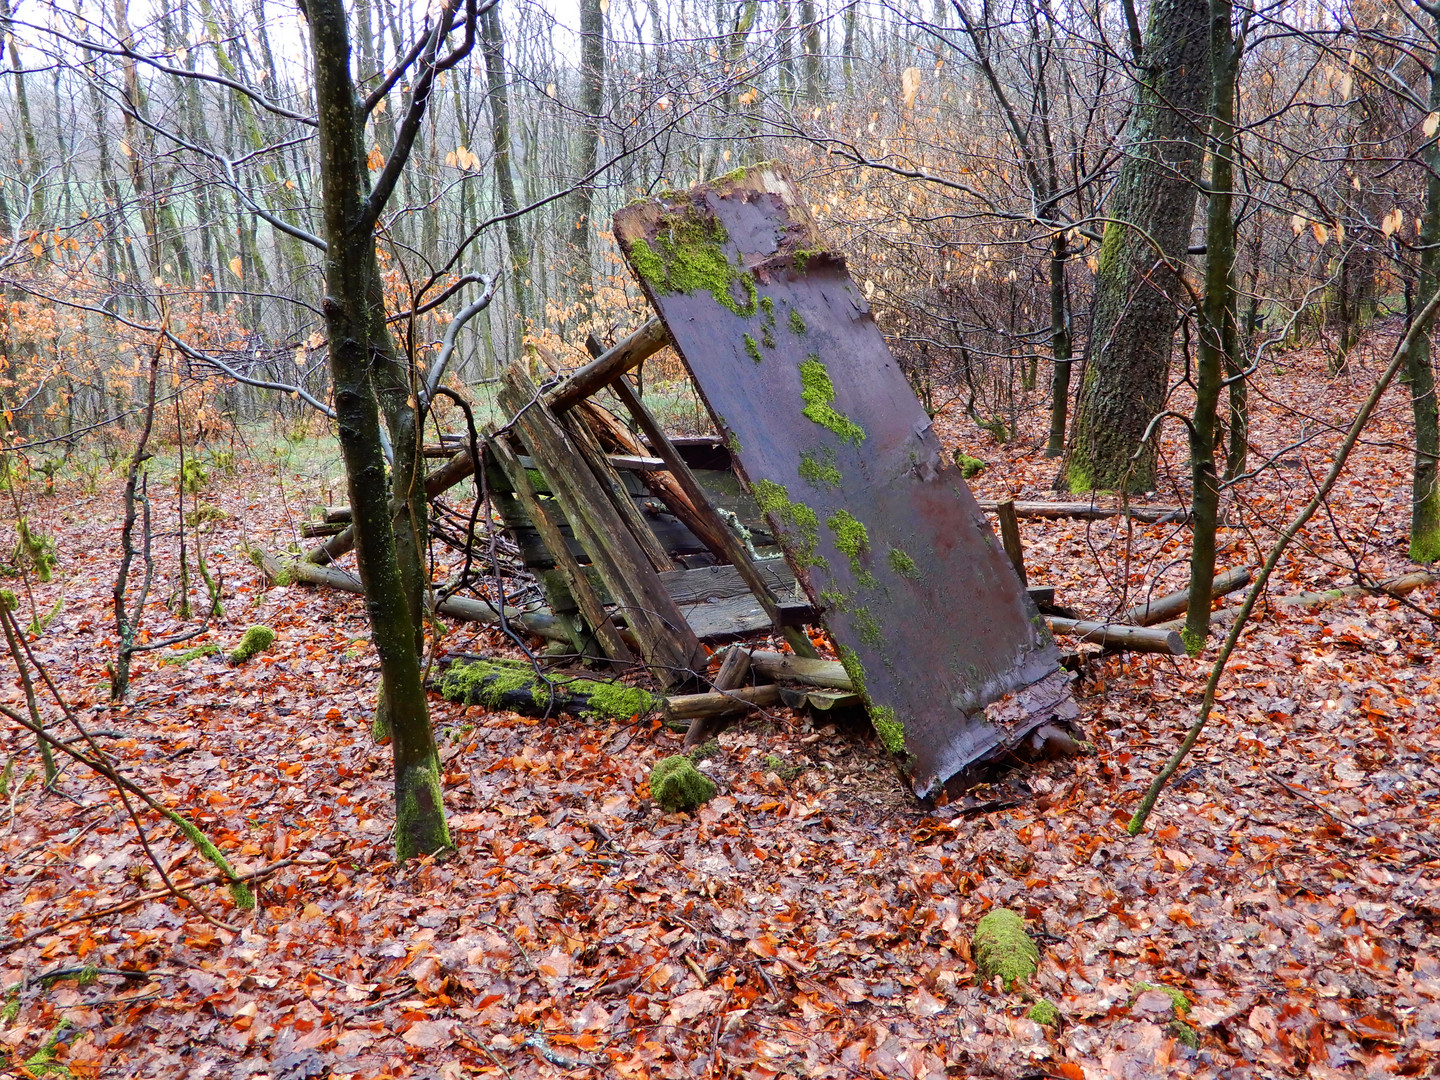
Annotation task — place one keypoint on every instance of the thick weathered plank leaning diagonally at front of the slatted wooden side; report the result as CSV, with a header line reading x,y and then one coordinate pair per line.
x,y
666,640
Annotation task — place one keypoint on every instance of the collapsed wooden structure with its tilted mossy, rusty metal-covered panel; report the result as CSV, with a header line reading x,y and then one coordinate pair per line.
x,y
650,549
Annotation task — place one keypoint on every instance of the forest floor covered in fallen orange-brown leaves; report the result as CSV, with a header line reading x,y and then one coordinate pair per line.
x,y
811,922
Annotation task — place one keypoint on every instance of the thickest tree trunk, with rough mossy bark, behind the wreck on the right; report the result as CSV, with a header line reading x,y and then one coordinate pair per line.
x,y
1137,289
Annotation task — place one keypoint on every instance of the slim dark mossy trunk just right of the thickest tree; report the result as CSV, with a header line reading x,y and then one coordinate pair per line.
x,y
1219,341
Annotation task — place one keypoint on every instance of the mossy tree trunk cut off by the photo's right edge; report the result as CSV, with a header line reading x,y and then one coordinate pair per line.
x,y
1421,375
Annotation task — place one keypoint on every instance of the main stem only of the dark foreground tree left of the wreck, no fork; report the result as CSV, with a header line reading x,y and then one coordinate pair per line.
x,y
358,346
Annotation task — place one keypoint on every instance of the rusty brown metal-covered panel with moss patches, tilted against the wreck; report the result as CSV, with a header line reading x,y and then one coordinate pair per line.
x,y
878,525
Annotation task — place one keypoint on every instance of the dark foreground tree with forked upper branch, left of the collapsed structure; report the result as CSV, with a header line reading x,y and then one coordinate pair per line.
x,y
368,377
